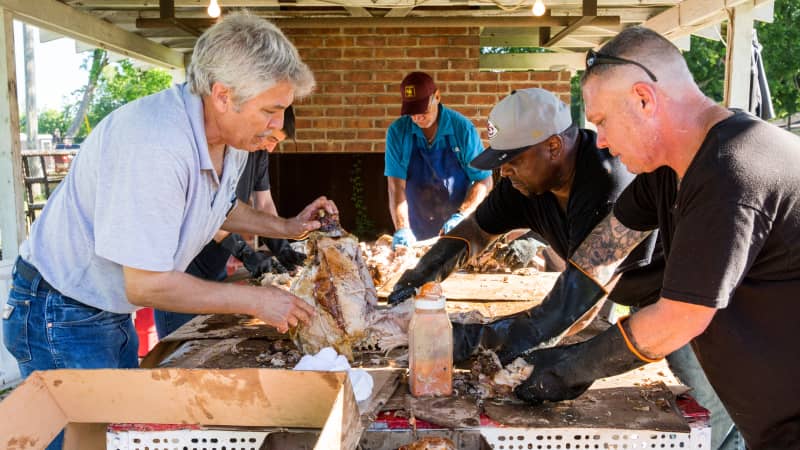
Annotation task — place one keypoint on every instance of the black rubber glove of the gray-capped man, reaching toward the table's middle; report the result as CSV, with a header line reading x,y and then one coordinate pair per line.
x,y
435,265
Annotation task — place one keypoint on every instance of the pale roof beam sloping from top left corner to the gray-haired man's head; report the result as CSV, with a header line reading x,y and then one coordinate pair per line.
x,y
66,20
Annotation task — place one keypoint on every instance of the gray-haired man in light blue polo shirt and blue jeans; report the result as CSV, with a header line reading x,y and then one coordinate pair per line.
x,y
151,185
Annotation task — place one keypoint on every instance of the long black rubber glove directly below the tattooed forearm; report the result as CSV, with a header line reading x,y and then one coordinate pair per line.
x,y
571,297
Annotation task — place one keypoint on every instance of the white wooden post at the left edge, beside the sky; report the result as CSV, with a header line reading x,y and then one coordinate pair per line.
x,y
12,214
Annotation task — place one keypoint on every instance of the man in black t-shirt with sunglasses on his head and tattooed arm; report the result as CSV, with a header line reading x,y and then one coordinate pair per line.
x,y
723,189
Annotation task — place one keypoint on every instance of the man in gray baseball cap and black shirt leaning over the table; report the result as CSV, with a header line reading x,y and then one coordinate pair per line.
x,y
560,185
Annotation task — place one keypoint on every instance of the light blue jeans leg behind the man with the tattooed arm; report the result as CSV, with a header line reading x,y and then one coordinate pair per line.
x,y
685,366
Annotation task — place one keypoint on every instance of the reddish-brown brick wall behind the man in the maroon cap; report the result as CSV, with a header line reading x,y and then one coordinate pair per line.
x,y
358,72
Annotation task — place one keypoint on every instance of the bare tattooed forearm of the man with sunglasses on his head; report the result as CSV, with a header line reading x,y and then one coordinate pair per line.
x,y
605,247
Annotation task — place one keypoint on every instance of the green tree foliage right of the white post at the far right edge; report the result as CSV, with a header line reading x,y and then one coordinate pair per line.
x,y
781,54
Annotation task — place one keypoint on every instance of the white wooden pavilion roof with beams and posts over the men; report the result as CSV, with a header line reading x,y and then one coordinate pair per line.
x,y
163,32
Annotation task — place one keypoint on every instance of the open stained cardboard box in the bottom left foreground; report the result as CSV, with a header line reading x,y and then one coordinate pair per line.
x,y
86,401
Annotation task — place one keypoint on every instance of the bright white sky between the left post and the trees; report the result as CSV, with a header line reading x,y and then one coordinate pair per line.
x,y
58,71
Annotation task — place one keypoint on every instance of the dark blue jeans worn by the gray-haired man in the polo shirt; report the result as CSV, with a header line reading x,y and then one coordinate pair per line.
x,y
47,330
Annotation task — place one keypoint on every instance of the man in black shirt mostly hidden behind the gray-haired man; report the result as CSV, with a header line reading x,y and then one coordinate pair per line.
x,y
210,263
